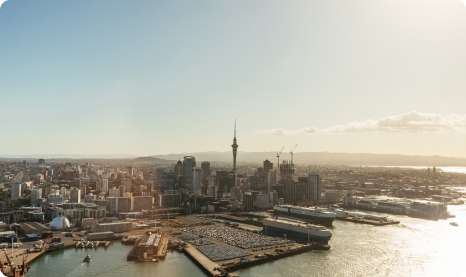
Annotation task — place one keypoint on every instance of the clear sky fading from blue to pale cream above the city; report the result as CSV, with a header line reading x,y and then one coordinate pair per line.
x,y
145,77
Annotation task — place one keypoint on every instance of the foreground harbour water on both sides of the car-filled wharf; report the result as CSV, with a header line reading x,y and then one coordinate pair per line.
x,y
415,247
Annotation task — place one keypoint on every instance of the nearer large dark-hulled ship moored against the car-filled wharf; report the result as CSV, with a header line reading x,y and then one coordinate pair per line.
x,y
297,230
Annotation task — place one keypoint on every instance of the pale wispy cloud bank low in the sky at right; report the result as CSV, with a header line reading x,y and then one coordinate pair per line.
x,y
406,122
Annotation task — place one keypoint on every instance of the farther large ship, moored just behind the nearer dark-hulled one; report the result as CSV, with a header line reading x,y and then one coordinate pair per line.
x,y
311,214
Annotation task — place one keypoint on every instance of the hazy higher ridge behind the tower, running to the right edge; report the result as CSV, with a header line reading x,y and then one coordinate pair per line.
x,y
325,158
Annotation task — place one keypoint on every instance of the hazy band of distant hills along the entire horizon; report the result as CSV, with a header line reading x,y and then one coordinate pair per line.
x,y
306,158
